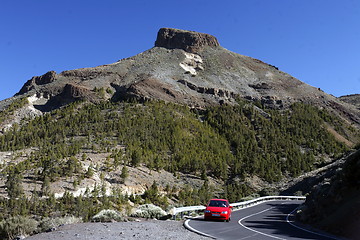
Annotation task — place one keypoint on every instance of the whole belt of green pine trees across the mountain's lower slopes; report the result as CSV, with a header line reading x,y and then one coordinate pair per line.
x,y
225,142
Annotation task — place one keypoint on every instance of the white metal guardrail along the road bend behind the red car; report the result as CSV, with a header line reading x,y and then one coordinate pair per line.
x,y
237,205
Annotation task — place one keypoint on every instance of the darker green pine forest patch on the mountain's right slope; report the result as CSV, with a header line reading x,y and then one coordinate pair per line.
x,y
284,143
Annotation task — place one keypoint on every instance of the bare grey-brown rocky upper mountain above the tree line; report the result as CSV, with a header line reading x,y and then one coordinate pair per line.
x,y
183,67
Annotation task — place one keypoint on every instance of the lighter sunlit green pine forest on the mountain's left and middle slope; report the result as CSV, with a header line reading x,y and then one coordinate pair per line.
x,y
156,134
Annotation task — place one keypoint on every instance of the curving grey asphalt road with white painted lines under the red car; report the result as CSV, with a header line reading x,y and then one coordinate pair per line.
x,y
265,221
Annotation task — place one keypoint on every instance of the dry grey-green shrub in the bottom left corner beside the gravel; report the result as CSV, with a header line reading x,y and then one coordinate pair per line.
x,y
17,226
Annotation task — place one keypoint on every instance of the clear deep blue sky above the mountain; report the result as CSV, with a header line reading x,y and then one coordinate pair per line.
x,y
316,41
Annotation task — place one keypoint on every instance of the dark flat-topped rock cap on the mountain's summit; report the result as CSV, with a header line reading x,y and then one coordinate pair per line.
x,y
187,40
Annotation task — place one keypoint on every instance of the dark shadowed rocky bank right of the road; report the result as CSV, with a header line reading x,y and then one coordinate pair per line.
x,y
333,204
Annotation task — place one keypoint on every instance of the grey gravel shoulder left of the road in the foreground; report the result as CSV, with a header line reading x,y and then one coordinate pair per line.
x,y
144,229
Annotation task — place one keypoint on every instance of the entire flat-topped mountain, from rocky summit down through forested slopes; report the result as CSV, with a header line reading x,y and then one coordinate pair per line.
x,y
175,125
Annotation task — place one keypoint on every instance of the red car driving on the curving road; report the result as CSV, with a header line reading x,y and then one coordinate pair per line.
x,y
218,209
